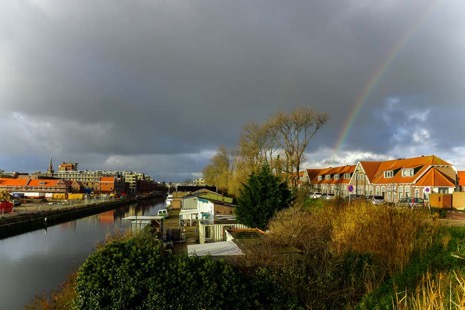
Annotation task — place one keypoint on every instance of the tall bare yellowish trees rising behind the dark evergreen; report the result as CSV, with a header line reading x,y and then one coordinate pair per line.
x,y
281,142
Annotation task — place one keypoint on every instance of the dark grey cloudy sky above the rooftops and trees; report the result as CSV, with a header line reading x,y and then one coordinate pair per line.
x,y
156,86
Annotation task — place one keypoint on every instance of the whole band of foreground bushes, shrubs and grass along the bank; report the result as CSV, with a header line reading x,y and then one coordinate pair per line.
x,y
318,255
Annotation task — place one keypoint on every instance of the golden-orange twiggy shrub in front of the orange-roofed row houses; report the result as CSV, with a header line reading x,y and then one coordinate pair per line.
x,y
392,235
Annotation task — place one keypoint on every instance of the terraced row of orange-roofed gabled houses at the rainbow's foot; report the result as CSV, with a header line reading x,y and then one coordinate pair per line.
x,y
393,179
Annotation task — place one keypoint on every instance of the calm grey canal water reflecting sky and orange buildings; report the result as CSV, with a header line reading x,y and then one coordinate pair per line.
x,y
40,261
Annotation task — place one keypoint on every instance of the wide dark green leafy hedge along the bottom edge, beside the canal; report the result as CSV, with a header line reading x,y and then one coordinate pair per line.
x,y
134,274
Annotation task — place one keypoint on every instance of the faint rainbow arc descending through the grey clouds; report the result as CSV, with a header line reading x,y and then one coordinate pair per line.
x,y
378,73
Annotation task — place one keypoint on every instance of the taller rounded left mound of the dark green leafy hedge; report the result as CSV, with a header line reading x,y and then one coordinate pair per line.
x,y
115,276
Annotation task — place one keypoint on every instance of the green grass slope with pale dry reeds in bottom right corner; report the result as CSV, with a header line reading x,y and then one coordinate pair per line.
x,y
424,275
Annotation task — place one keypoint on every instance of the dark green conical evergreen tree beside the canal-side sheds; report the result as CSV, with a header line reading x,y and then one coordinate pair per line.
x,y
261,197
